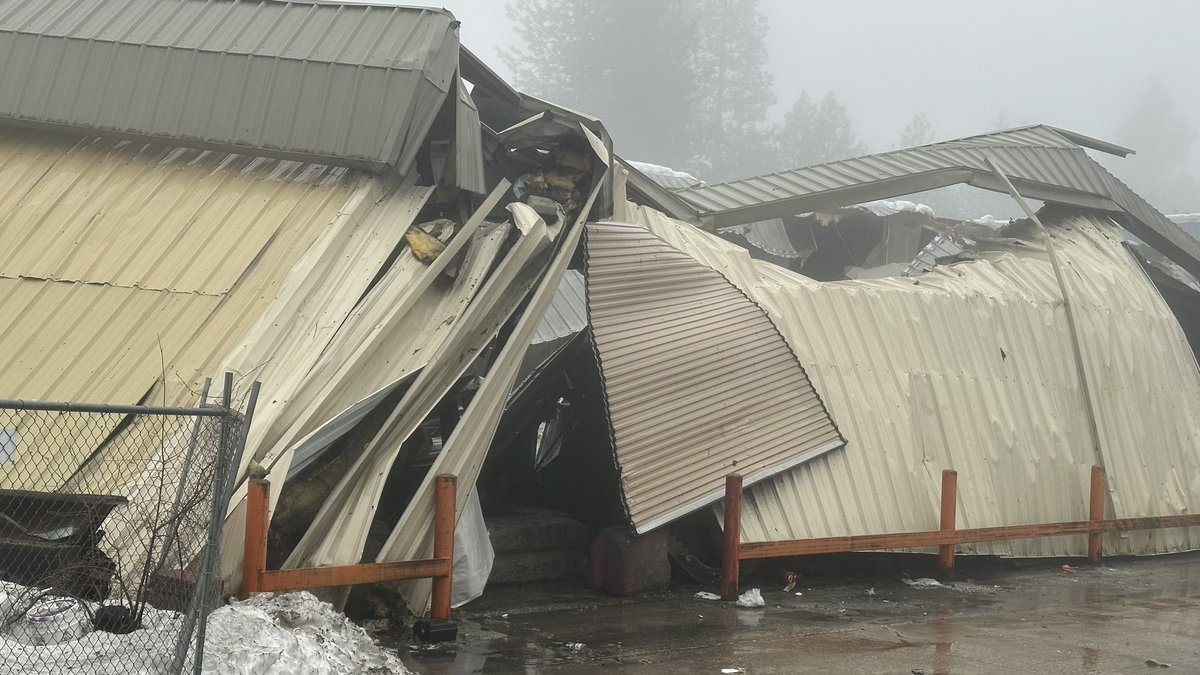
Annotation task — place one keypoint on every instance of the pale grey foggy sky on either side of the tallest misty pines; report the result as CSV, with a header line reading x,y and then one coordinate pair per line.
x,y
1077,64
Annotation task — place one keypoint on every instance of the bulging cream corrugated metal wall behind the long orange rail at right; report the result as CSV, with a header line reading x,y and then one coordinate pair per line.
x,y
971,368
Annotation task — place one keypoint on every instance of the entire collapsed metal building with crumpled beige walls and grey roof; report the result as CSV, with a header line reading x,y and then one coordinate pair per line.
x,y
345,205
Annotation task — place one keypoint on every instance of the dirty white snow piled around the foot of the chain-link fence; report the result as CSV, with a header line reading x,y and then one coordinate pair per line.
x,y
277,634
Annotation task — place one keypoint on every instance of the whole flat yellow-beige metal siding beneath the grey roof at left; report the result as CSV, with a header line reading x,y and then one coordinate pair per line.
x,y
123,256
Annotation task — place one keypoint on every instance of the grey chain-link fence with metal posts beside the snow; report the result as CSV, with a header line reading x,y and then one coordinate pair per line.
x,y
110,524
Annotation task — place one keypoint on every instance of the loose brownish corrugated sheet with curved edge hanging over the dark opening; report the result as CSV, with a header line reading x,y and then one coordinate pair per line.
x,y
686,404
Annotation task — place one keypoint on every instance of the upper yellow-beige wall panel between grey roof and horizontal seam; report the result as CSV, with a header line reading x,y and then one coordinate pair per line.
x,y
147,216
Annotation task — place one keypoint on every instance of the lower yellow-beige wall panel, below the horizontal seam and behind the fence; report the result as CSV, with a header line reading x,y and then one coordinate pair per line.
x,y
83,343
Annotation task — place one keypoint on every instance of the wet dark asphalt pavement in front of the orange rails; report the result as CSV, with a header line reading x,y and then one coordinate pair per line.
x,y
1132,616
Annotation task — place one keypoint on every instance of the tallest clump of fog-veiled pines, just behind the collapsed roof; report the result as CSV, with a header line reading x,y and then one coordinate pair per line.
x,y
676,82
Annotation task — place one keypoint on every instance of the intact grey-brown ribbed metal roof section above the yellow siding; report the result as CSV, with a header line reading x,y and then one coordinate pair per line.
x,y
351,83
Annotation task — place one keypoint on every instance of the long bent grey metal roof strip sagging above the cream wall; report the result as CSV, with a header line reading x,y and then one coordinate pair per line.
x,y
1043,163
